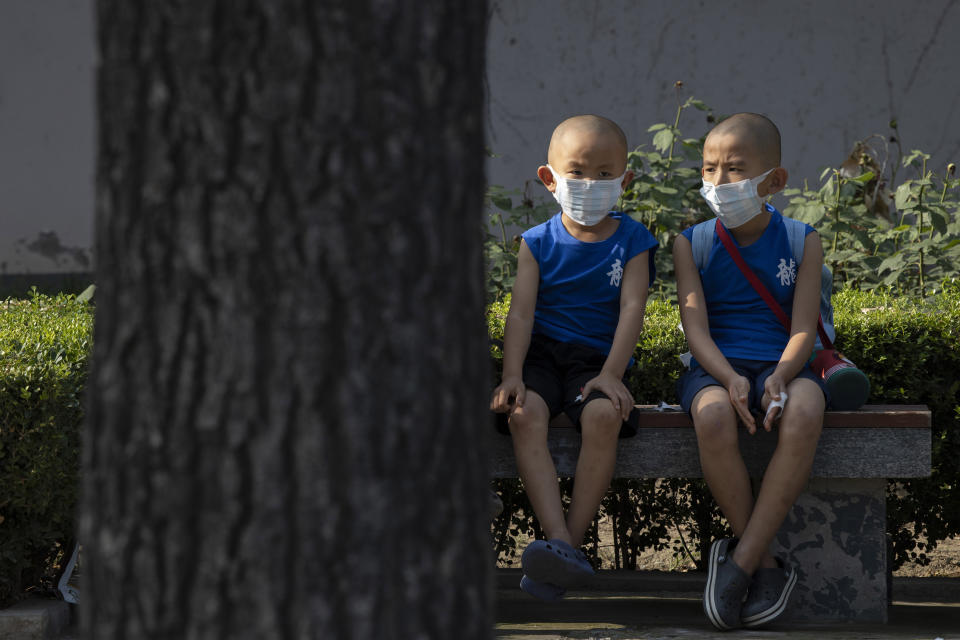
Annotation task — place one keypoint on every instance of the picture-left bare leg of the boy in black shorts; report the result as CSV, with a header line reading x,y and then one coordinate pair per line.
x,y
528,426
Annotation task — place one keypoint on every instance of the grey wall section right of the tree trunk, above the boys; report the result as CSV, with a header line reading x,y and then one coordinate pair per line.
x,y
827,72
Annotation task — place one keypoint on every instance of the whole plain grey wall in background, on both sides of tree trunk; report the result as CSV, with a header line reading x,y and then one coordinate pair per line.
x,y
828,73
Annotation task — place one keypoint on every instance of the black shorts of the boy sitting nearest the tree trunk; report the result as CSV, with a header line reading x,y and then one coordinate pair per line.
x,y
557,371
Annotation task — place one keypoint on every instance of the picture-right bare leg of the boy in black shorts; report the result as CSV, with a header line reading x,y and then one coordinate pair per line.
x,y
600,429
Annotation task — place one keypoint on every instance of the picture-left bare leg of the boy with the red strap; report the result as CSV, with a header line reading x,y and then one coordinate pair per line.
x,y
715,422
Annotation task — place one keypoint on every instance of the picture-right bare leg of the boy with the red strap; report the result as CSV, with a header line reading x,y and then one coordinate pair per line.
x,y
787,473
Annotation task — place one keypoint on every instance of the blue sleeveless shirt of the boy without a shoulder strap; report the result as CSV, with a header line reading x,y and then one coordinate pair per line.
x,y
578,299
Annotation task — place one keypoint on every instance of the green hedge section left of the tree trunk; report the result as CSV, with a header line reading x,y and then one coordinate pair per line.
x,y
44,347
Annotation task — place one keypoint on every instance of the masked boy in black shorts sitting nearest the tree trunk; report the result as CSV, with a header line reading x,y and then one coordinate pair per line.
x,y
575,316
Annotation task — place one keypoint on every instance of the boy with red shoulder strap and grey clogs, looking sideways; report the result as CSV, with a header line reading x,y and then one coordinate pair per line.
x,y
745,360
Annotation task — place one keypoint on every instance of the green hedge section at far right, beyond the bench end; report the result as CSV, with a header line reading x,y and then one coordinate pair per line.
x,y
908,347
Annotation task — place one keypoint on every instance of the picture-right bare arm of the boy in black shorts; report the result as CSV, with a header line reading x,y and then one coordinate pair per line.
x,y
633,302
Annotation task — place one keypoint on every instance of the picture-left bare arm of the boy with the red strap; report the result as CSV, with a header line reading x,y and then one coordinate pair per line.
x,y
696,327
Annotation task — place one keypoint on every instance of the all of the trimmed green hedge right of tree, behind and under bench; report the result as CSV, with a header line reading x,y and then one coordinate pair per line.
x,y
908,347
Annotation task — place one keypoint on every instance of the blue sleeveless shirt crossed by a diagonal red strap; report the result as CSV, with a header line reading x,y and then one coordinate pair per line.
x,y
741,323
